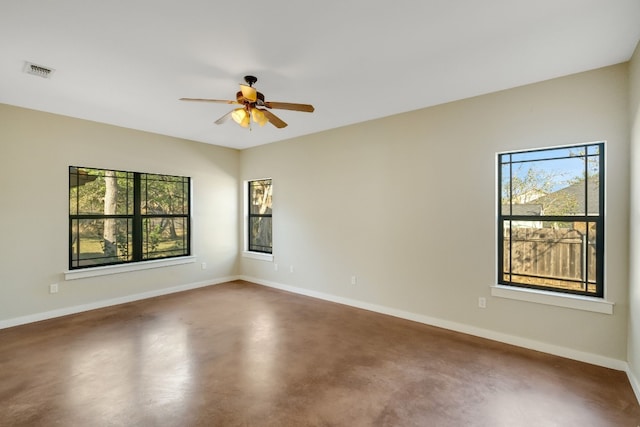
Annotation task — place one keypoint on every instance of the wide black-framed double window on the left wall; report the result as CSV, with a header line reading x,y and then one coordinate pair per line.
x,y
118,217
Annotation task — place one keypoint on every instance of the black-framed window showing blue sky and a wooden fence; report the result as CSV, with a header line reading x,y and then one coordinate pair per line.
x,y
551,219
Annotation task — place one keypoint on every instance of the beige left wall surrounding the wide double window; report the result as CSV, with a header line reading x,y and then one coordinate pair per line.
x,y
36,150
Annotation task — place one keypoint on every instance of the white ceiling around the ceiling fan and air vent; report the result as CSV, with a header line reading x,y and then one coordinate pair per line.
x,y
127,62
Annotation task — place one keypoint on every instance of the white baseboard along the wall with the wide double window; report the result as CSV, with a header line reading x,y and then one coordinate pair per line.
x,y
110,302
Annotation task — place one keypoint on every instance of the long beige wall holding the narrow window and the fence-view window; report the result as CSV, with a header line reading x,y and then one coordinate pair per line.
x,y
407,204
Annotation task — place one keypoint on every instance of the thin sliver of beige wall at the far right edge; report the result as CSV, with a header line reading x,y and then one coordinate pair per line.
x,y
634,230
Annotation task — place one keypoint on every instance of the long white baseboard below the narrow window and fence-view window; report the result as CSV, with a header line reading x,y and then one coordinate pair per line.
x,y
556,350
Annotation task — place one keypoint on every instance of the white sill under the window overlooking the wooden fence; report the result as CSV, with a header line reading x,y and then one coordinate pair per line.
x,y
576,302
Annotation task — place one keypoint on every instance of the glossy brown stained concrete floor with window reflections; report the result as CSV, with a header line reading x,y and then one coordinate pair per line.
x,y
239,354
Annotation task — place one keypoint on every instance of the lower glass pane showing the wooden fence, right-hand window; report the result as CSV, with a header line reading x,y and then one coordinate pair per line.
x,y
550,254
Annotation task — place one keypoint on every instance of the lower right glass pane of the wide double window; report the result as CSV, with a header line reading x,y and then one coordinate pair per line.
x,y
164,237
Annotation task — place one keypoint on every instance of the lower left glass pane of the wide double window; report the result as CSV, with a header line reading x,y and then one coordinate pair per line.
x,y
100,241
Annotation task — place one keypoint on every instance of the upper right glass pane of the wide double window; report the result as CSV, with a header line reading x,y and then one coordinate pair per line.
x,y
162,194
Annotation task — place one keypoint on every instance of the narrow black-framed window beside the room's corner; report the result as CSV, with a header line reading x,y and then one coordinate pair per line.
x,y
259,216
